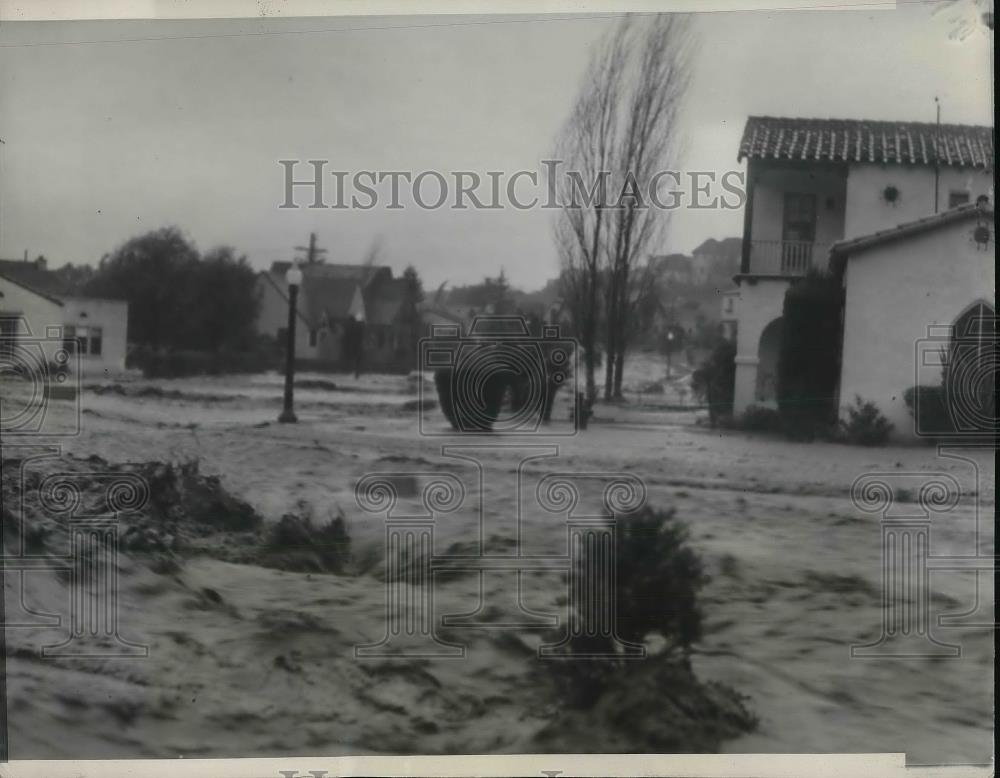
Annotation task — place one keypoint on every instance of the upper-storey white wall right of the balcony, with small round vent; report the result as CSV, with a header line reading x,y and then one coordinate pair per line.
x,y
868,212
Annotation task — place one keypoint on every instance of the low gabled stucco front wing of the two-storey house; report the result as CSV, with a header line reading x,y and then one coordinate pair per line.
x,y
910,291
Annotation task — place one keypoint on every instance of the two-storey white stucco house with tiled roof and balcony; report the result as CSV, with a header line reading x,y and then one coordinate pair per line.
x,y
821,185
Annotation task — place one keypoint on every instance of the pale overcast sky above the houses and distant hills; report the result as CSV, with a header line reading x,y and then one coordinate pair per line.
x,y
115,128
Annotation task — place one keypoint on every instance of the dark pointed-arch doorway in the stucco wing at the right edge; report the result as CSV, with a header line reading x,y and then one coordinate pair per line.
x,y
970,370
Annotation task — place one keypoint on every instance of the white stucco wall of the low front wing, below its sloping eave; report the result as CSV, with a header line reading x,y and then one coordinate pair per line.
x,y
894,293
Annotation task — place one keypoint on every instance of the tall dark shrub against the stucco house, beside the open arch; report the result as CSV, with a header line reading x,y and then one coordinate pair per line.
x,y
809,356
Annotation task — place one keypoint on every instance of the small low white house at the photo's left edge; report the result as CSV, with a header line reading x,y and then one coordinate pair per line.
x,y
36,306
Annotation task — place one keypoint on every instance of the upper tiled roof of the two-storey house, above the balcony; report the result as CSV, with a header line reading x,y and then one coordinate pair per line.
x,y
852,140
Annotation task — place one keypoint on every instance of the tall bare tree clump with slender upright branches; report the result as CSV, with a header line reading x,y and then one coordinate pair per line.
x,y
622,132
